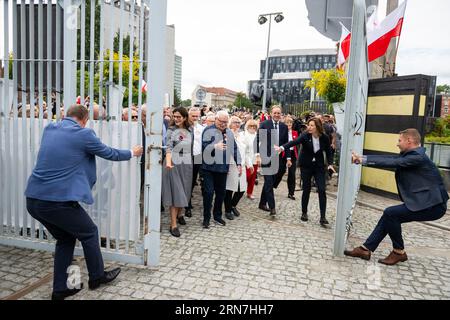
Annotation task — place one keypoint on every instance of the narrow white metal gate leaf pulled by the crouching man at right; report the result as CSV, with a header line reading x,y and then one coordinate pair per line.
x,y
354,127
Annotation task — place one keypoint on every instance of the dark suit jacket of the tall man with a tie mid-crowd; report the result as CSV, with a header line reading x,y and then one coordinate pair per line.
x,y
264,144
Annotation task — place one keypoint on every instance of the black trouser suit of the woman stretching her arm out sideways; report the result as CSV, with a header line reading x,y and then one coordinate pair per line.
x,y
313,164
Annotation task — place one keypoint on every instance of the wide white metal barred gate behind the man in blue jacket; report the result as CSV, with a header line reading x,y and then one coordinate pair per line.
x,y
66,49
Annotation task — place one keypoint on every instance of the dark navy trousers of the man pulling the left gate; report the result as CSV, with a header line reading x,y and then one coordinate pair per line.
x,y
67,222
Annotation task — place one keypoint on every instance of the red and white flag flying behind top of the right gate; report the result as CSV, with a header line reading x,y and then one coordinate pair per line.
x,y
379,34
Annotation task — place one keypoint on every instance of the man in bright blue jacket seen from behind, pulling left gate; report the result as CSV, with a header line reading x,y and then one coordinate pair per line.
x,y
64,174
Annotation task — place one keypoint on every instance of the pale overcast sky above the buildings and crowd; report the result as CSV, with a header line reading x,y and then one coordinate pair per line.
x,y
222,43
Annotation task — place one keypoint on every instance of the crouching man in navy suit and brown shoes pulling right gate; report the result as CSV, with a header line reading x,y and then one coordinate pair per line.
x,y
420,187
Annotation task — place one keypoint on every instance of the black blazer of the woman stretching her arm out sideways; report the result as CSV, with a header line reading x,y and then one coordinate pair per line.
x,y
307,154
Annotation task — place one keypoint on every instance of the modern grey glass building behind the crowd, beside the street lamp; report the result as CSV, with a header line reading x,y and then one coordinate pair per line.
x,y
290,69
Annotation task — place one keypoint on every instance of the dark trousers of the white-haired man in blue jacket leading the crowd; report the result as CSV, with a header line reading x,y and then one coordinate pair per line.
x,y
213,183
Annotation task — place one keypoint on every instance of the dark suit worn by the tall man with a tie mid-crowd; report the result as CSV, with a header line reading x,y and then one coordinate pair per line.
x,y
273,166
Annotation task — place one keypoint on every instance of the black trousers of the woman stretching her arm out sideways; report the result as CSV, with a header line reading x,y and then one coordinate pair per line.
x,y
318,172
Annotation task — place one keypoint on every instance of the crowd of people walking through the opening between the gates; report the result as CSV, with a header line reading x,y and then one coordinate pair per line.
x,y
225,151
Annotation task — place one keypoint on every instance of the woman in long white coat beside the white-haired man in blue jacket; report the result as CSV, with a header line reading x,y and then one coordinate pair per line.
x,y
237,183
